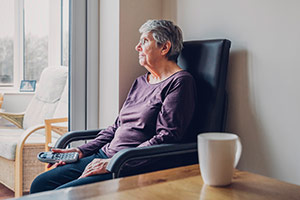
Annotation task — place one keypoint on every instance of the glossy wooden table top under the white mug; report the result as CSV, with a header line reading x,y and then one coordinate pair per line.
x,y
179,183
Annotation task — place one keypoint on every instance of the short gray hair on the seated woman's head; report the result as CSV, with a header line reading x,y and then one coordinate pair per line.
x,y
163,31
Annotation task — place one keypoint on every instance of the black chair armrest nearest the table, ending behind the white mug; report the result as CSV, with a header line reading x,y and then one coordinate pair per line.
x,y
119,159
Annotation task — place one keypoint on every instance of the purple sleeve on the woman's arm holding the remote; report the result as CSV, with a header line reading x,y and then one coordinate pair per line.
x,y
103,137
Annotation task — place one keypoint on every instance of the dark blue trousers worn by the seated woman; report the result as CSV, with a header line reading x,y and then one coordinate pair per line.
x,y
67,176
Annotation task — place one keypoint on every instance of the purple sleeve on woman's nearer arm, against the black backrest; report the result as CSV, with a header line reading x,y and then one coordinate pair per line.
x,y
176,113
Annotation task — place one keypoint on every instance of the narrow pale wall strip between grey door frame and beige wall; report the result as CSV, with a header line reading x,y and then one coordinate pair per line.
x,y
109,62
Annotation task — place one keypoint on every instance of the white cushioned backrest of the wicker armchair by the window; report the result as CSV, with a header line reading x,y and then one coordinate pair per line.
x,y
48,94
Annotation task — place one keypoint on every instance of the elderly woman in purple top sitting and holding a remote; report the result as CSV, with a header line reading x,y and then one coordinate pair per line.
x,y
158,109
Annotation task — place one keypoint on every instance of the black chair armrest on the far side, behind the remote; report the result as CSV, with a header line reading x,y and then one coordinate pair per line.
x,y
72,136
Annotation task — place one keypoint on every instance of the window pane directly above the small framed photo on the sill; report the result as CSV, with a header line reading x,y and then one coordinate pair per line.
x,y
36,26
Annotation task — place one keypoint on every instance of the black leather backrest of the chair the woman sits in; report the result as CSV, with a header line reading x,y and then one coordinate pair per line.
x,y
207,61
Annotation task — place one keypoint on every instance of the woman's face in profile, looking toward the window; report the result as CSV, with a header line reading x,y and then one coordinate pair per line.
x,y
149,52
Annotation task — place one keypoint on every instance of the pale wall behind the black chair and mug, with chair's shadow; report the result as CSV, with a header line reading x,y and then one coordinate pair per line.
x,y
263,77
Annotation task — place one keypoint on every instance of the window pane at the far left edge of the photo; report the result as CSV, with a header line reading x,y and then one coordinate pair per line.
x,y
6,41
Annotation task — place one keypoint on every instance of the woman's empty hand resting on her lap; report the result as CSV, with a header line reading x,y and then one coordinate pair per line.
x,y
97,166
